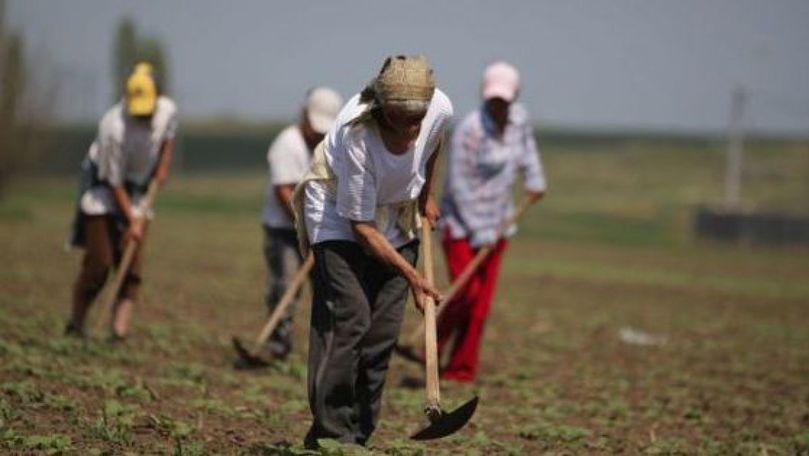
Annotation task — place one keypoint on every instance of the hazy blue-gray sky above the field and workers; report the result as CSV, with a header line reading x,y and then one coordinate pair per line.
x,y
618,64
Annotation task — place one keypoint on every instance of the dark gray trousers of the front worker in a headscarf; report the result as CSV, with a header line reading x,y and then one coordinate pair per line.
x,y
357,312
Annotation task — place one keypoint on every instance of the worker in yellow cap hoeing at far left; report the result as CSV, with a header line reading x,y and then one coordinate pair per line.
x,y
134,144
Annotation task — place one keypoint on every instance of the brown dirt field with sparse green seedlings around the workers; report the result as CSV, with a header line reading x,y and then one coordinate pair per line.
x,y
613,331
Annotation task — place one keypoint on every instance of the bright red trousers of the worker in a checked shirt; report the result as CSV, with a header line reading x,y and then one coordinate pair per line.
x,y
465,316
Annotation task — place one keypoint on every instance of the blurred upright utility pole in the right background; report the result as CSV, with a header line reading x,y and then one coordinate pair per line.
x,y
735,151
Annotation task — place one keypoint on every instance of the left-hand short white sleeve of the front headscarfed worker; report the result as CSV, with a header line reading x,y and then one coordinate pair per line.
x,y
356,186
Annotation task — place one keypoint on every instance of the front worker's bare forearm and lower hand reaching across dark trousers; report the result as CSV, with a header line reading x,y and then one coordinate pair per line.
x,y
374,242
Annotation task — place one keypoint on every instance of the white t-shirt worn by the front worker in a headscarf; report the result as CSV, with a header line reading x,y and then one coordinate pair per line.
x,y
369,177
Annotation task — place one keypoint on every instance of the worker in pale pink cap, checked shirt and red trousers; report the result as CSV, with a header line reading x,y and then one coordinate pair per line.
x,y
490,147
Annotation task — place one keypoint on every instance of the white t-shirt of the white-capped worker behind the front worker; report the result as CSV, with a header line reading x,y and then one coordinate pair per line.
x,y
288,159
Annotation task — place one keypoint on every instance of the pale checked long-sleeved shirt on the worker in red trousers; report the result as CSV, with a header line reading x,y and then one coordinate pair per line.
x,y
482,167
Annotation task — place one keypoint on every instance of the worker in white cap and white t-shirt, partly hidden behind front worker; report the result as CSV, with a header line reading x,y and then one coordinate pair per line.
x,y
288,158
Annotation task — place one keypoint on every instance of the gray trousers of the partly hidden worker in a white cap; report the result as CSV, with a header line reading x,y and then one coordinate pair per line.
x,y
283,261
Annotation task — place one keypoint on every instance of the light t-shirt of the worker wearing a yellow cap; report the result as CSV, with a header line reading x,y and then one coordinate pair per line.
x,y
127,150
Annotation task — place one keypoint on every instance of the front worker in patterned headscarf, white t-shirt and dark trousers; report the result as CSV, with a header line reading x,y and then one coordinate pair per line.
x,y
358,209
